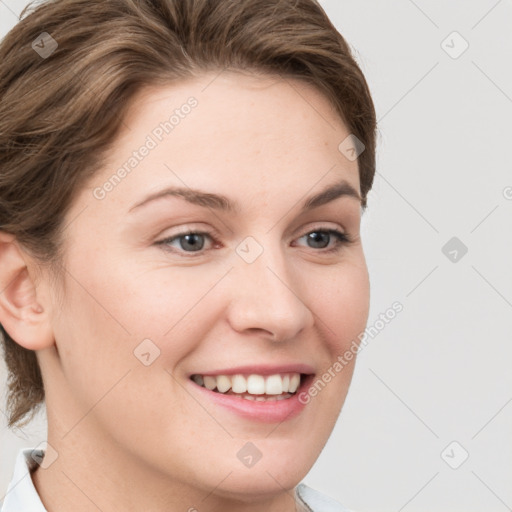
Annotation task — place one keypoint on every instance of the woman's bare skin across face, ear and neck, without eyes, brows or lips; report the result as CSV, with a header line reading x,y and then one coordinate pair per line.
x,y
134,437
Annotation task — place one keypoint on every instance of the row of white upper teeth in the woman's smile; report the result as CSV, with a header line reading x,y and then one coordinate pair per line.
x,y
252,384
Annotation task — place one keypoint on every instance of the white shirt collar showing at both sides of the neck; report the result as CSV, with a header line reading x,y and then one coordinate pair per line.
x,y
22,496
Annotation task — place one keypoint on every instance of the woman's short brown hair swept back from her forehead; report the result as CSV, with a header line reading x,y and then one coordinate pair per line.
x,y
60,113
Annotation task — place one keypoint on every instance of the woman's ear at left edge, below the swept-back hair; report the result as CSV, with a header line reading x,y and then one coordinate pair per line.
x,y
22,315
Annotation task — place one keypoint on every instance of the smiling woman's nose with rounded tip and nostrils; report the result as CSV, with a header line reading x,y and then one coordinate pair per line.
x,y
266,298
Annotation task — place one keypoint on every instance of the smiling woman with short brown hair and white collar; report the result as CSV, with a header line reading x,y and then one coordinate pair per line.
x,y
182,183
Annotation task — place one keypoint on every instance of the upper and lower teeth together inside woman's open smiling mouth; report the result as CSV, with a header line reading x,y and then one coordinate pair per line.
x,y
260,388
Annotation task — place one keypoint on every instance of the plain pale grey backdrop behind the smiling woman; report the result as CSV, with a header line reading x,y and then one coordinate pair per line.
x,y
427,425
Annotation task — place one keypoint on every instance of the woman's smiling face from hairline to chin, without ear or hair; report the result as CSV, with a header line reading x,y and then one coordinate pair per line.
x,y
263,288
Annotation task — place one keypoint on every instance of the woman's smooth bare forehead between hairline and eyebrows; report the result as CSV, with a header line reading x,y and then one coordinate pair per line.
x,y
243,133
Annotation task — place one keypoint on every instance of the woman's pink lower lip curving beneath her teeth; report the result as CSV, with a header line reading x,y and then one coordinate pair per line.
x,y
274,411
